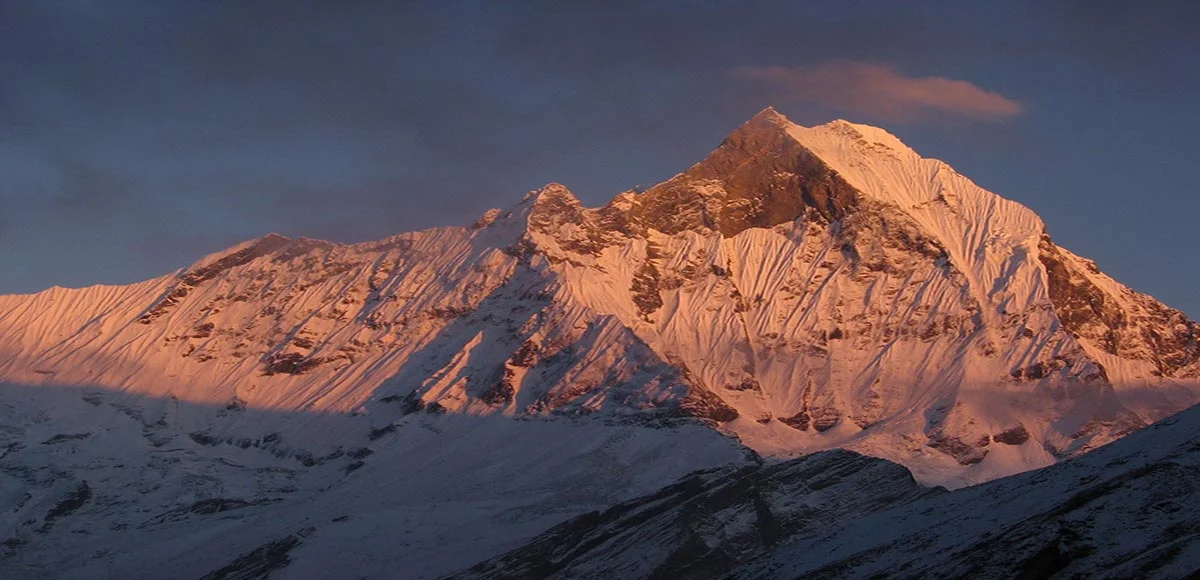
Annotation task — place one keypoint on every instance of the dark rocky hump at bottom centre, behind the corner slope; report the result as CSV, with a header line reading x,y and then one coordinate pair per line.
x,y
707,524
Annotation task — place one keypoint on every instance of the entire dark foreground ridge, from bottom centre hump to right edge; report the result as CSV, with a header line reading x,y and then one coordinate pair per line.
x,y
1126,511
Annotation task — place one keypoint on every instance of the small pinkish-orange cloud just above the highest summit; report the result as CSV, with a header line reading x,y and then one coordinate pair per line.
x,y
884,93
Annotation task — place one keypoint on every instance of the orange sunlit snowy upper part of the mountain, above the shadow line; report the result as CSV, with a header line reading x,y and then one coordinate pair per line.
x,y
801,289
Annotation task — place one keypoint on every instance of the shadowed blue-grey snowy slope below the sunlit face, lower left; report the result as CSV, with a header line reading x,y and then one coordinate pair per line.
x,y
103,485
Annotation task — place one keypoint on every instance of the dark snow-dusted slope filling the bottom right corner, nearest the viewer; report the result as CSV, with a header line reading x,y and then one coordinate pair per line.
x,y
1126,511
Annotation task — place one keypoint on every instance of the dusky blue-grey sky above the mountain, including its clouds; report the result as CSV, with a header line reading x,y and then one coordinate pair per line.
x,y
140,136
